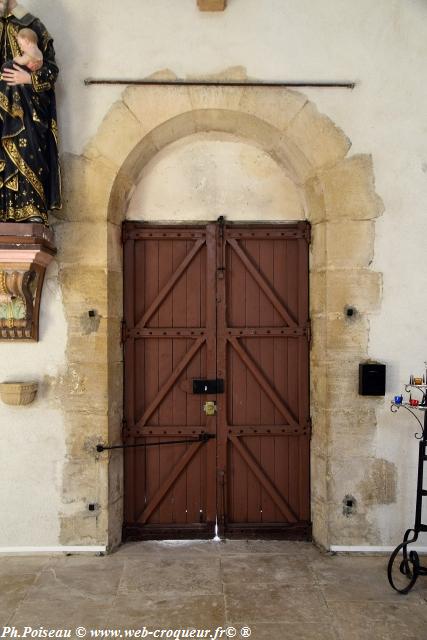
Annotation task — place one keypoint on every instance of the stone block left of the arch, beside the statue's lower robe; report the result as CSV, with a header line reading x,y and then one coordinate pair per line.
x,y
86,188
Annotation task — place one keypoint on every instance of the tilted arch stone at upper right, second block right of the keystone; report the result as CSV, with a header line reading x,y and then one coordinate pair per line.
x,y
323,143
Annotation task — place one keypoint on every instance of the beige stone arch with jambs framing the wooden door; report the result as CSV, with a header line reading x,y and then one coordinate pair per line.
x,y
341,203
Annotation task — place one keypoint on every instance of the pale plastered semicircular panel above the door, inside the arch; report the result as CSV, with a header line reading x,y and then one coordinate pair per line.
x,y
207,175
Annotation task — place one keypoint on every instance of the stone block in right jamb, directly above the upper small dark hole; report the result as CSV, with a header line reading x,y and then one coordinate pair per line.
x,y
359,288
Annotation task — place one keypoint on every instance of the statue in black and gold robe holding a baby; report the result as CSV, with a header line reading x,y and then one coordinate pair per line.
x,y
30,183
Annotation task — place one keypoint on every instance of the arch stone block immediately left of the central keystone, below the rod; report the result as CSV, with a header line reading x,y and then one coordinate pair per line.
x,y
154,105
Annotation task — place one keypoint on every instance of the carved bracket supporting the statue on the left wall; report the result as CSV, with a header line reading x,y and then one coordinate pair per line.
x,y
26,249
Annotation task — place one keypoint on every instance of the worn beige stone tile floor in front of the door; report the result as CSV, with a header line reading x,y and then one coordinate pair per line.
x,y
280,590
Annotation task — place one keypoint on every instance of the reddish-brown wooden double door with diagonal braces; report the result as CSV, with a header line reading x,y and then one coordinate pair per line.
x,y
221,302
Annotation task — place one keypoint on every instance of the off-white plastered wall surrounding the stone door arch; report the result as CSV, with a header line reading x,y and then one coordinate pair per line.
x,y
380,45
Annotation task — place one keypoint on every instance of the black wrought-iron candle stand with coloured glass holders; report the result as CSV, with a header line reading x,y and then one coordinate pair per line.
x,y
409,562
